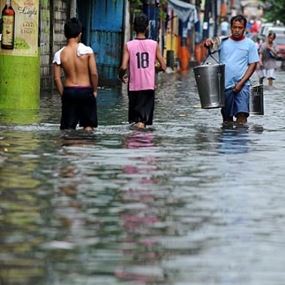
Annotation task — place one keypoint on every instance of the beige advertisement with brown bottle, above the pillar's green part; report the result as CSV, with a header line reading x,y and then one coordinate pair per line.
x,y
20,27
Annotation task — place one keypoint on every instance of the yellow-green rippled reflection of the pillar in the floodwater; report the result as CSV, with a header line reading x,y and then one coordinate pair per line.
x,y
20,214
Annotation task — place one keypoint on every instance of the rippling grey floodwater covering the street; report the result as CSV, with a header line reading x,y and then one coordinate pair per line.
x,y
184,202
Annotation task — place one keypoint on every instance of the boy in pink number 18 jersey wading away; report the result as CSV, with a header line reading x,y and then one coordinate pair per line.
x,y
139,59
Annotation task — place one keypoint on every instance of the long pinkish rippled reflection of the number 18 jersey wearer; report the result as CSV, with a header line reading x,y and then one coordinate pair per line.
x,y
140,214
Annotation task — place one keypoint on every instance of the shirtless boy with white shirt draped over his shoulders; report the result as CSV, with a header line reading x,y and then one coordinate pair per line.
x,y
79,89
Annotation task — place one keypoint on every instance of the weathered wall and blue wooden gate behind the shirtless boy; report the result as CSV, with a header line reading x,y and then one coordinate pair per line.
x,y
104,29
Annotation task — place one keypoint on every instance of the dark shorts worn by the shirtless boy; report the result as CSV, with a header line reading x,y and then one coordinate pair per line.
x,y
78,106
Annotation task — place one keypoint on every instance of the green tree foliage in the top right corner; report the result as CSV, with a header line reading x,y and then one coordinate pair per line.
x,y
275,10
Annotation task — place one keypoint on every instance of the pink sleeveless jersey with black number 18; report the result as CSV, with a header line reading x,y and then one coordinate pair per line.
x,y
142,64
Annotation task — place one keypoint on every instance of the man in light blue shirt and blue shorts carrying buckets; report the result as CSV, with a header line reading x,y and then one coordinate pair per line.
x,y
240,56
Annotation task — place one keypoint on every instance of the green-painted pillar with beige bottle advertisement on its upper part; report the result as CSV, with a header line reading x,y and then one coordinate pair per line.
x,y
20,63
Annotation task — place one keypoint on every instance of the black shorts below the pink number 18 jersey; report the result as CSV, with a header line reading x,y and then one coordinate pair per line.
x,y
141,106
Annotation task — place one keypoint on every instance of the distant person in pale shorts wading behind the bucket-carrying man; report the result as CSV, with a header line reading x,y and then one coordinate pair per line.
x,y
268,56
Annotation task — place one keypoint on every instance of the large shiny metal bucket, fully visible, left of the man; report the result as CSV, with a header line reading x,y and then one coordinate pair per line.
x,y
210,79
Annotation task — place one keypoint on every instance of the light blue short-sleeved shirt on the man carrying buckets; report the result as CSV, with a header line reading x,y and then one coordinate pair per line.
x,y
237,55
